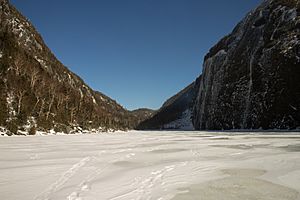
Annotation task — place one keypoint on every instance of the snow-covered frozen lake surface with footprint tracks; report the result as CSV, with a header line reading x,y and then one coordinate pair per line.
x,y
151,166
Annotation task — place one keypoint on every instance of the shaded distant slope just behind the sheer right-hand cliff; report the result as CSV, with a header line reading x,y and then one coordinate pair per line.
x,y
176,112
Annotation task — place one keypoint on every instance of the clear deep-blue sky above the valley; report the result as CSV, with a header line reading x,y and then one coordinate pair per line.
x,y
138,52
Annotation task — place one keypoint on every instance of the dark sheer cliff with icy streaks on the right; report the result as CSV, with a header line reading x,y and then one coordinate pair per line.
x,y
251,78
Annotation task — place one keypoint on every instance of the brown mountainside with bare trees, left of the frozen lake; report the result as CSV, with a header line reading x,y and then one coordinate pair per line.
x,y
39,93
